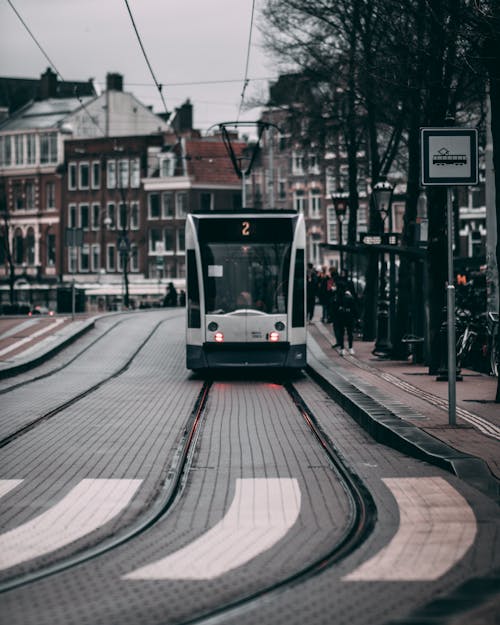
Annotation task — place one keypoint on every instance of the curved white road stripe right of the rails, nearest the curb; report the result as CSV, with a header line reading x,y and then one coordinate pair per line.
x,y
437,527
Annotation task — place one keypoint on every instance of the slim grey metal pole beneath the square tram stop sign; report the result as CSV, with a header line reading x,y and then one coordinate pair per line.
x,y
450,300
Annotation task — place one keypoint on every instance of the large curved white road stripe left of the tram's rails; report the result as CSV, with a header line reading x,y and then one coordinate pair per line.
x,y
86,507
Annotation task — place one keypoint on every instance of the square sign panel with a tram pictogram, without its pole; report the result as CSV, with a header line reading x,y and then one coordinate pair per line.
x,y
449,156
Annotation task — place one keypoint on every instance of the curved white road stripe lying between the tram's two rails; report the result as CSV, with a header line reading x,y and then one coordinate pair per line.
x,y
262,512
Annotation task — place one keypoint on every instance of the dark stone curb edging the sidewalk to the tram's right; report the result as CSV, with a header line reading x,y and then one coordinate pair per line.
x,y
387,428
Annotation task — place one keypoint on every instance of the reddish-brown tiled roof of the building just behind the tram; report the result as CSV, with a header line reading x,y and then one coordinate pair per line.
x,y
207,161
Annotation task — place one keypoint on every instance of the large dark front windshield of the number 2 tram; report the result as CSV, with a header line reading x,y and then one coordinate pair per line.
x,y
246,276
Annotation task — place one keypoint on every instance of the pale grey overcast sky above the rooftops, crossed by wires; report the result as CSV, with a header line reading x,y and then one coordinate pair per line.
x,y
186,41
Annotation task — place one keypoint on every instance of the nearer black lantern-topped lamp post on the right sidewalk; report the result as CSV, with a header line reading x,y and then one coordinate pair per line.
x,y
382,197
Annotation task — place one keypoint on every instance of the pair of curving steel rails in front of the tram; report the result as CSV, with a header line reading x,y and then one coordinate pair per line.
x,y
360,523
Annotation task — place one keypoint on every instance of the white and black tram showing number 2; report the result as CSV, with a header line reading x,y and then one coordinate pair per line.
x,y
246,299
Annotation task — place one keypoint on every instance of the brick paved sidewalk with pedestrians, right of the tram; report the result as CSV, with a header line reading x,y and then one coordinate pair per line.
x,y
477,429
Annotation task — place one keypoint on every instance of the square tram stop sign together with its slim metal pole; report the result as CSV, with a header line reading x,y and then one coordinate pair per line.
x,y
449,157
